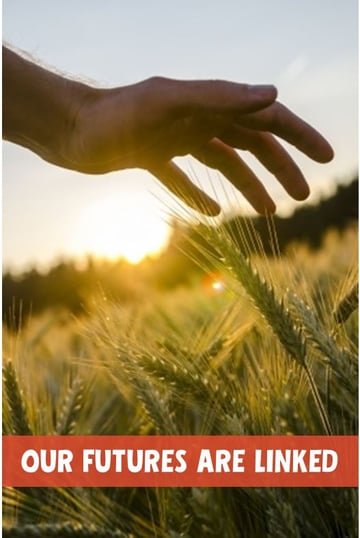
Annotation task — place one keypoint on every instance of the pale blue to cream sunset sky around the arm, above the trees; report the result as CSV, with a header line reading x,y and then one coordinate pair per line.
x,y
308,49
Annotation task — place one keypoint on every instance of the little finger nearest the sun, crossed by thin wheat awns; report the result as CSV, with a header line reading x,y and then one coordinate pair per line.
x,y
178,183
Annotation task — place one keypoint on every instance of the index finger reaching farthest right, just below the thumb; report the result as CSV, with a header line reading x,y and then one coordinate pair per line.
x,y
282,122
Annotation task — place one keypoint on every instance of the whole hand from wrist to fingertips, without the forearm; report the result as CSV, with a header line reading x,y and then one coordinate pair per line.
x,y
147,124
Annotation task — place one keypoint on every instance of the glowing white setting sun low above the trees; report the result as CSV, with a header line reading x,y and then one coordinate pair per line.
x,y
114,228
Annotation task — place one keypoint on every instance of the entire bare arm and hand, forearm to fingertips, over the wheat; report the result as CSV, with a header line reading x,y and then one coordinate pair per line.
x,y
146,125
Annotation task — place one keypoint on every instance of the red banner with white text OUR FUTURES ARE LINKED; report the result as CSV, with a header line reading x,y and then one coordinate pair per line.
x,y
180,461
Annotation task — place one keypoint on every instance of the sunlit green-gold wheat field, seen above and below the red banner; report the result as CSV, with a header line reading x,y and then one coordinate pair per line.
x,y
273,352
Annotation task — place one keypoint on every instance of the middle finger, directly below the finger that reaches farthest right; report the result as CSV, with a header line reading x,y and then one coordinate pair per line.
x,y
272,155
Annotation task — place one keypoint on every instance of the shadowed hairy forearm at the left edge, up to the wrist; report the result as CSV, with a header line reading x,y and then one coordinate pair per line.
x,y
39,107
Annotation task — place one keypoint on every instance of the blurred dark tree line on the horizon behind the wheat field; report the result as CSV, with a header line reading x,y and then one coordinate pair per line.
x,y
68,286
